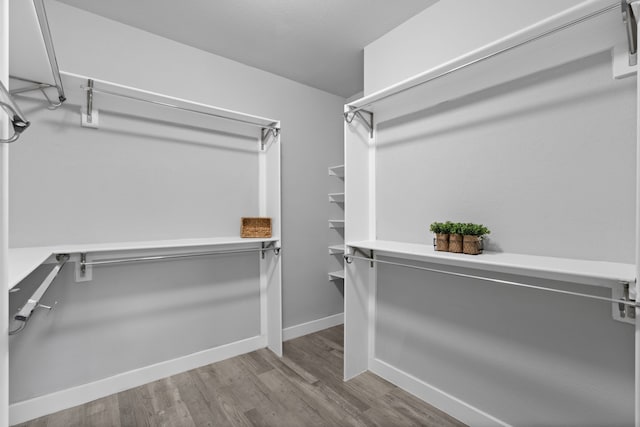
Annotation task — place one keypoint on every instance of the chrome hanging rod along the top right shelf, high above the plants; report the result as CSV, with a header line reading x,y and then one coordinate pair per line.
x,y
560,28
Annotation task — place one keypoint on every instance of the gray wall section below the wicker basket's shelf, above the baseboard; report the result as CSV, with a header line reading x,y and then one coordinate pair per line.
x,y
129,317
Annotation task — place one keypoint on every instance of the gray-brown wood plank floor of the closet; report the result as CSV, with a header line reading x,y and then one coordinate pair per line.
x,y
304,388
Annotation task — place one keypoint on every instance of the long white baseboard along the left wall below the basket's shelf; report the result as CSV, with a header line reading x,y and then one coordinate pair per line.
x,y
33,408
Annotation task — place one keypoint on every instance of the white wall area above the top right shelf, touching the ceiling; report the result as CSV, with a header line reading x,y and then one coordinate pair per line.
x,y
445,31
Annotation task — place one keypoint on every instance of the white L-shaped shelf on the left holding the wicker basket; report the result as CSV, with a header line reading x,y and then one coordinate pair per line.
x,y
23,261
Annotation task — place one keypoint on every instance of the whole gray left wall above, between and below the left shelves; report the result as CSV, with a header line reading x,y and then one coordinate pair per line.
x,y
59,162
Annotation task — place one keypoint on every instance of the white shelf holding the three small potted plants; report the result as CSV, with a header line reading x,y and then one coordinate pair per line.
x,y
596,273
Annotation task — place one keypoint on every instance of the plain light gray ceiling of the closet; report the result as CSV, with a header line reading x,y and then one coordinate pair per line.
x,y
315,42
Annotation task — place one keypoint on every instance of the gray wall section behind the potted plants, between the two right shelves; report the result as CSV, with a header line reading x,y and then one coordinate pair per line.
x,y
547,162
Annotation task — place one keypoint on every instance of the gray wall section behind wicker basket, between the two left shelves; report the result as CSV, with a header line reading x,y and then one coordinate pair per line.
x,y
135,178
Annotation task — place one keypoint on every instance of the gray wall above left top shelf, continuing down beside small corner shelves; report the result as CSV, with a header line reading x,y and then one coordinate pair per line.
x,y
311,122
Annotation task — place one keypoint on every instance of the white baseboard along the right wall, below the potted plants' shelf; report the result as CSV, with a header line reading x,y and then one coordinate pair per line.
x,y
453,406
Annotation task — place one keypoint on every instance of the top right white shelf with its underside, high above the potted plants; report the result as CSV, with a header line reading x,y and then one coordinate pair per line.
x,y
525,52
